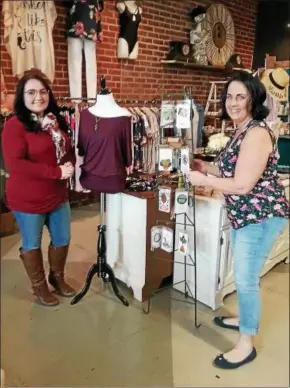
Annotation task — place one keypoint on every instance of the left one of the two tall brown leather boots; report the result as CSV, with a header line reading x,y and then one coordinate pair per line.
x,y
33,264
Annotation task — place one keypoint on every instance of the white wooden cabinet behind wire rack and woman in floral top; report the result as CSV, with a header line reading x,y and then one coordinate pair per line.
x,y
213,253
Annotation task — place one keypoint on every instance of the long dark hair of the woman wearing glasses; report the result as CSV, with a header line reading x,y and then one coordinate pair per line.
x,y
24,115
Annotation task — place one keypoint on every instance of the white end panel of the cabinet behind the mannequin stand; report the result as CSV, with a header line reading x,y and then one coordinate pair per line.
x,y
126,240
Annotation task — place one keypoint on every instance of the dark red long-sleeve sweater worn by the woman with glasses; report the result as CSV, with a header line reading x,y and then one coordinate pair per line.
x,y
34,184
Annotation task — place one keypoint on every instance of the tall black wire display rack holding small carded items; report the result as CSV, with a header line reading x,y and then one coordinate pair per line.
x,y
189,259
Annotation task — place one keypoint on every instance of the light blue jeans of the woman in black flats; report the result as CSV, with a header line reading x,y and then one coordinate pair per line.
x,y
251,245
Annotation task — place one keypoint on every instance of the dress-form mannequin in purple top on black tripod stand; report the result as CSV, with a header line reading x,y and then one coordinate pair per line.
x,y
105,142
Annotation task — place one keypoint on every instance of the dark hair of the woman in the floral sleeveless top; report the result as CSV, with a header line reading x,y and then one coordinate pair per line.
x,y
257,95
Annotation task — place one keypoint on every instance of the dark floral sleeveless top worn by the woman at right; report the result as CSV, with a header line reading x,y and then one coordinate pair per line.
x,y
267,199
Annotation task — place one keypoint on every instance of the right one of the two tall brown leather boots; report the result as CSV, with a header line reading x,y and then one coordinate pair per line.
x,y
57,259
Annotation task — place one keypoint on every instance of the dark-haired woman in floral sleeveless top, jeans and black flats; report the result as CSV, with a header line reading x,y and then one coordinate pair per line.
x,y
256,204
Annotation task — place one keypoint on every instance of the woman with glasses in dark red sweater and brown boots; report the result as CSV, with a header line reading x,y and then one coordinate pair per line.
x,y
39,157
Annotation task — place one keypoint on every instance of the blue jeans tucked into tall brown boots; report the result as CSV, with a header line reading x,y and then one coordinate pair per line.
x,y
31,227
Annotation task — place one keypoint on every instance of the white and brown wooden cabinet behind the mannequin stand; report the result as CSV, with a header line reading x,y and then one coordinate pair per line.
x,y
129,220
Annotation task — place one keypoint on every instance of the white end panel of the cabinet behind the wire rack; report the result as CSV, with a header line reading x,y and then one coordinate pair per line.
x,y
210,223
